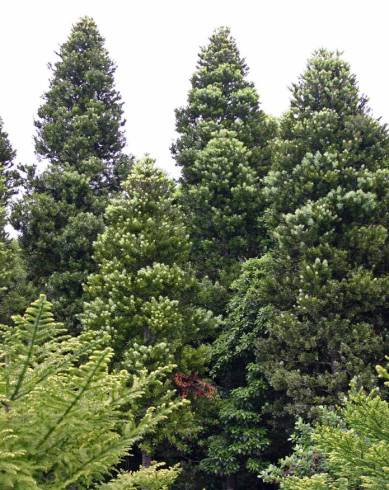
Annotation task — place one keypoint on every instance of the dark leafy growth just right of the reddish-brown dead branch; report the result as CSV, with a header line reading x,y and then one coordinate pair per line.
x,y
240,442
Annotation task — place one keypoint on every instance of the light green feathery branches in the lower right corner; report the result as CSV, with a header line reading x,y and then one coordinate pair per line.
x,y
354,451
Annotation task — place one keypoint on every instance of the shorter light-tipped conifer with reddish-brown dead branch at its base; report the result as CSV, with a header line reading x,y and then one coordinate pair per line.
x,y
144,293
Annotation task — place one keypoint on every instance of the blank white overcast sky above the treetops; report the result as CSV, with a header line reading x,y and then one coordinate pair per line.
x,y
155,45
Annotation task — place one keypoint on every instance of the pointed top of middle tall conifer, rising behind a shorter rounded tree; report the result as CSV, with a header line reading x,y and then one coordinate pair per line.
x,y
221,97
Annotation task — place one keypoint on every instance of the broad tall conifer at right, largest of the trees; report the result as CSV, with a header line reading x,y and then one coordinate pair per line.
x,y
318,300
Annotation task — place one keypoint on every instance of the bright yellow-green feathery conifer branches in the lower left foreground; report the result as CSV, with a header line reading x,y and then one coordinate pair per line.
x,y
65,420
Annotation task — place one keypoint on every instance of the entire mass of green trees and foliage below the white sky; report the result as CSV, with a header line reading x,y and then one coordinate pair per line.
x,y
224,331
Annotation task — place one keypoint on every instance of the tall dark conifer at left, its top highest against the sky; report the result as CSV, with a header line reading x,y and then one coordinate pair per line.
x,y
79,132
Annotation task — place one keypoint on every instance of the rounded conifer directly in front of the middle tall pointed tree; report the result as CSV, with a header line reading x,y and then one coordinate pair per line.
x,y
223,208
